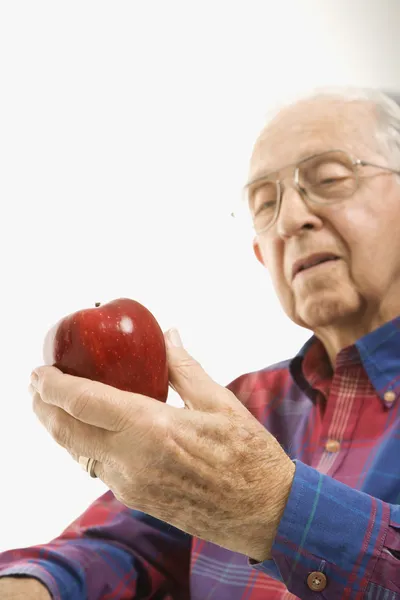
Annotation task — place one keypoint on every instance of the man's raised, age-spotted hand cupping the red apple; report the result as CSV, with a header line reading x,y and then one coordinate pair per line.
x,y
212,470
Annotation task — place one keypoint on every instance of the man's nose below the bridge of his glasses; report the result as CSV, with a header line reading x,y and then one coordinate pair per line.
x,y
295,214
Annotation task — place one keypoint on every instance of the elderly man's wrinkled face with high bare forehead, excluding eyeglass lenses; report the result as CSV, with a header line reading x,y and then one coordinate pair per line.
x,y
362,231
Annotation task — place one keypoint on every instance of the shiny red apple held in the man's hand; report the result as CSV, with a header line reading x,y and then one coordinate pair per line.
x,y
119,343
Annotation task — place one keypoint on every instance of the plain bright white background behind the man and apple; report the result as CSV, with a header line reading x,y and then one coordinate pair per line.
x,y
125,131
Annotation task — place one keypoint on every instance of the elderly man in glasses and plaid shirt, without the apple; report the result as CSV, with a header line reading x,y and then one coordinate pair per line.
x,y
287,482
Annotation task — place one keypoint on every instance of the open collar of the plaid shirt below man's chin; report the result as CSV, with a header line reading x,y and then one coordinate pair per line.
x,y
378,352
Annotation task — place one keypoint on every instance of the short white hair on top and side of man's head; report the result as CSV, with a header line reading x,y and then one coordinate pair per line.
x,y
387,107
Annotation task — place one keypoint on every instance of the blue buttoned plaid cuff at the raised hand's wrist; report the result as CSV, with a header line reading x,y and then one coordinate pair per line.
x,y
329,528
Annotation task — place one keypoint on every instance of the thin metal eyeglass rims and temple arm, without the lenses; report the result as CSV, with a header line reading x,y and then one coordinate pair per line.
x,y
355,162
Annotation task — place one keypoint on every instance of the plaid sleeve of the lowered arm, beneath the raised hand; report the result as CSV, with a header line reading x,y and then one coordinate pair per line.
x,y
110,552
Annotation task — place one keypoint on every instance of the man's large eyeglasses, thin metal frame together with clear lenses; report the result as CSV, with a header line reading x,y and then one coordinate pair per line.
x,y
325,178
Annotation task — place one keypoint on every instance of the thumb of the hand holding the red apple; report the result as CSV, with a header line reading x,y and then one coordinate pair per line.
x,y
188,378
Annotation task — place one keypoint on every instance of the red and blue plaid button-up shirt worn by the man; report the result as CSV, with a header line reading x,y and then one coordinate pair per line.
x,y
340,533
